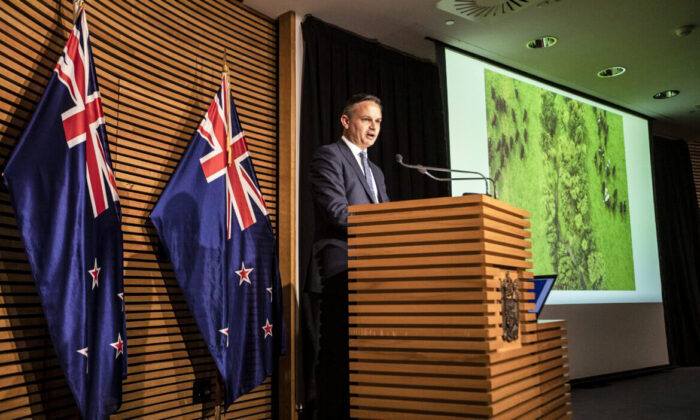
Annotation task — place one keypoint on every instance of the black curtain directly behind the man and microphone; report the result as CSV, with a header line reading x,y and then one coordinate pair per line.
x,y
338,64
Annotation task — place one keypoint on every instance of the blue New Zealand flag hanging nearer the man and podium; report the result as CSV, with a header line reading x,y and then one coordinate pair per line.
x,y
214,223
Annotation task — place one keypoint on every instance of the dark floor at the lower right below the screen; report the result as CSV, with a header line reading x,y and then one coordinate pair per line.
x,y
669,394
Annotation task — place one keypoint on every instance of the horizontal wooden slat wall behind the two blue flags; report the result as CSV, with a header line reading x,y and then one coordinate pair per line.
x,y
158,65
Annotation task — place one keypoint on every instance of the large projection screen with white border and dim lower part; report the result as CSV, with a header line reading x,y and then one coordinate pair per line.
x,y
582,169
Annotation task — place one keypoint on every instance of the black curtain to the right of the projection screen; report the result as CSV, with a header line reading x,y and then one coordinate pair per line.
x,y
679,249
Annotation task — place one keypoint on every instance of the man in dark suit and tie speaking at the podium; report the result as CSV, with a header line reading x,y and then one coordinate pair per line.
x,y
341,175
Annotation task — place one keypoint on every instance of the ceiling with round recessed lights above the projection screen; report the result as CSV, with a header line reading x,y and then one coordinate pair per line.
x,y
593,34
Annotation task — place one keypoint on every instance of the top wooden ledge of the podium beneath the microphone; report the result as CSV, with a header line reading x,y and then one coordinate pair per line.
x,y
425,203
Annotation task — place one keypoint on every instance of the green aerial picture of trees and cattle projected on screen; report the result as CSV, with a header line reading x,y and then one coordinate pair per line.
x,y
563,161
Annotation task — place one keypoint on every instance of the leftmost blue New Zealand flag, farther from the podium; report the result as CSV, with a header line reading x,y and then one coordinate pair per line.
x,y
65,199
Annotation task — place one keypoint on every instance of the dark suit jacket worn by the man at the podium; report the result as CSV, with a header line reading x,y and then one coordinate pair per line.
x,y
336,182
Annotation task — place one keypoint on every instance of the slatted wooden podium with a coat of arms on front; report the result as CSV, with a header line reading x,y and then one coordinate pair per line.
x,y
427,320
